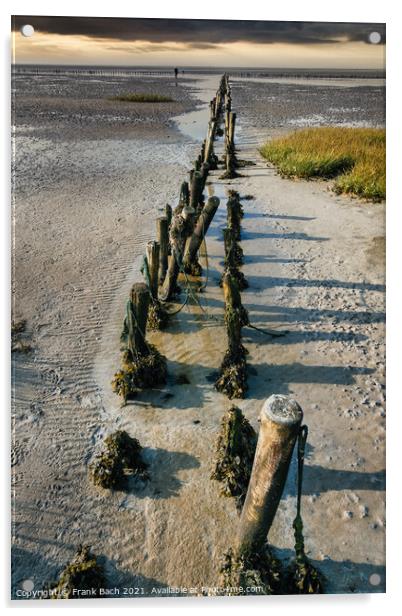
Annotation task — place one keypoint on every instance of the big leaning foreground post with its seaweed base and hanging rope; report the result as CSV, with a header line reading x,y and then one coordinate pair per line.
x,y
251,558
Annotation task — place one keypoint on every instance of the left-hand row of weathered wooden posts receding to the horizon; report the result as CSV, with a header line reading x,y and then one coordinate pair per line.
x,y
180,233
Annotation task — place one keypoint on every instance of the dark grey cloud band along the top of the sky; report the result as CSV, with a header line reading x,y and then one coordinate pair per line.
x,y
202,33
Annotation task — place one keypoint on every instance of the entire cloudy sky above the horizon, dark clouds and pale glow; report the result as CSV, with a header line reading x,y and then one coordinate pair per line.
x,y
190,42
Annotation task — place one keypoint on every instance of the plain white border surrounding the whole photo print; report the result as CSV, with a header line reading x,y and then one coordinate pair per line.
x,y
309,10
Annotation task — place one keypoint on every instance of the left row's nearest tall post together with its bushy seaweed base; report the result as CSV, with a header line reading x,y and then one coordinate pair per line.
x,y
142,364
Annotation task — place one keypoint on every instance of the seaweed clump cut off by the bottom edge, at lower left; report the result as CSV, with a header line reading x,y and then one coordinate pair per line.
x,y
82,578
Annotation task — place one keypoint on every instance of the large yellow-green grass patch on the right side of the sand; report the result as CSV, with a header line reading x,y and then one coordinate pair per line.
x,y
355,157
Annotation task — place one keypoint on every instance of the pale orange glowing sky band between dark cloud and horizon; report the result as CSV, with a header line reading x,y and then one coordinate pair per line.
x,y
44,48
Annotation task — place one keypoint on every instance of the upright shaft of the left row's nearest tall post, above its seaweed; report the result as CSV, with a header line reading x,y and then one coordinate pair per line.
x,y
140,298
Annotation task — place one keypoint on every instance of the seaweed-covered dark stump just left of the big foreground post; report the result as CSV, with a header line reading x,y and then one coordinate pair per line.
x,y
234,455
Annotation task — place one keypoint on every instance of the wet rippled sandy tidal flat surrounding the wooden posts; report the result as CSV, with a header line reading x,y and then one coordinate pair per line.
x,y
91,176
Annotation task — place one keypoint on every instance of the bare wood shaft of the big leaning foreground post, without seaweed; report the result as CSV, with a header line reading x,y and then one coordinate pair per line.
x,y
280,421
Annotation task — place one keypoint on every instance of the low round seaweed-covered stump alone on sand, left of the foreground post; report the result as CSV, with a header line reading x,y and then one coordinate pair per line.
x,y
121,457
